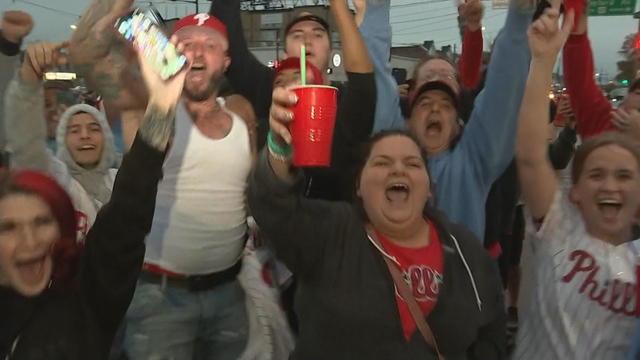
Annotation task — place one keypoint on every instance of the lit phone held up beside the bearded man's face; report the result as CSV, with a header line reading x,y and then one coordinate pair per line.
x,y
143,29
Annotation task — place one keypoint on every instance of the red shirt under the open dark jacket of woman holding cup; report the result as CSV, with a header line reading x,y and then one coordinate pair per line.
x,y
424,266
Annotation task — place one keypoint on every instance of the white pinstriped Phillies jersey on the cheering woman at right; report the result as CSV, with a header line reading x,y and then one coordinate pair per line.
x,y
580,291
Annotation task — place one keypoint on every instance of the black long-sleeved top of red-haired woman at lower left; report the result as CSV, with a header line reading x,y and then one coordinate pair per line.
x,y
81,324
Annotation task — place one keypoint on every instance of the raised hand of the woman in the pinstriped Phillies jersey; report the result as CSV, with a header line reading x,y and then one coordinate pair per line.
x,y
546,36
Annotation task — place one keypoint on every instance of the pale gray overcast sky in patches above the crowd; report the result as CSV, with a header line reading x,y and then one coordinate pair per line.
x,y
413,21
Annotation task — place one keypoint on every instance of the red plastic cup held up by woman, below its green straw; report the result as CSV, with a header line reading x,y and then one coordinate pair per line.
x,y
314,117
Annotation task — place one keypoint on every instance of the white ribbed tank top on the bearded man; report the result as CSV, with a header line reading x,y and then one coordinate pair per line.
x,y
199,224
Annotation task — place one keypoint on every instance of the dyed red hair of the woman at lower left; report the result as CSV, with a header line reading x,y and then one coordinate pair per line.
x,y
66,250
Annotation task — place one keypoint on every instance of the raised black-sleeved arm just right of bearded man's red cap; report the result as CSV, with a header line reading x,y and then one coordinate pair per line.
x,y
247,75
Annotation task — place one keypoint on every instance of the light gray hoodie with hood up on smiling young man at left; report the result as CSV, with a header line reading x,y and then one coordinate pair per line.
x,y
25,127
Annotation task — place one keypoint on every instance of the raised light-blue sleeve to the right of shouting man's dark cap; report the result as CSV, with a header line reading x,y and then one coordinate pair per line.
x,y
488,139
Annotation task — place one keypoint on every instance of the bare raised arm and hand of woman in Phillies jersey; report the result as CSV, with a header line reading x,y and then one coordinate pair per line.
x,y
537,178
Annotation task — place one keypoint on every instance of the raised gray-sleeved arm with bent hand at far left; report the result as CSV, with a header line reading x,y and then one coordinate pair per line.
x,y
24,108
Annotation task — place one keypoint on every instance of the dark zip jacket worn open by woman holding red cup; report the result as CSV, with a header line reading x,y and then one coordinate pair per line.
x,y
346,301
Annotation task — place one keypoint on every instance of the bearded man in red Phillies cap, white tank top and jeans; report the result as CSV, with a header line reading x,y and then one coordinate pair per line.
x,y
188,299
